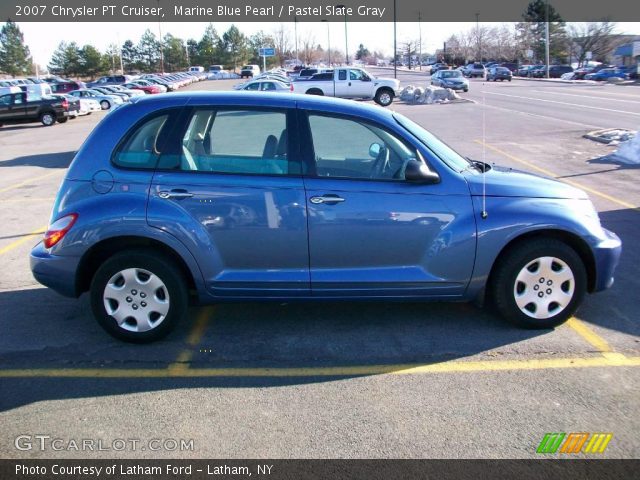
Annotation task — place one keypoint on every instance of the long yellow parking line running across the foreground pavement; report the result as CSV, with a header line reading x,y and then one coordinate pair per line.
x,y
341,371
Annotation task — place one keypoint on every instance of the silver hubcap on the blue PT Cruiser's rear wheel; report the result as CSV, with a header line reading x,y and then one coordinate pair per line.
x,y
137,299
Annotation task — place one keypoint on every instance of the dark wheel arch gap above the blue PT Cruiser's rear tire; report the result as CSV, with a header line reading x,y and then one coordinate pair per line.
x,y
104,249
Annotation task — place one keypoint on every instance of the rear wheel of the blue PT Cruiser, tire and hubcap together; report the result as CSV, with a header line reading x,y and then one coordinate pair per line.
x,y
137,296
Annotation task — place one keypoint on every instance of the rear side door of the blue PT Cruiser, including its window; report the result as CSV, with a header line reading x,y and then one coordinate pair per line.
x,y
231,189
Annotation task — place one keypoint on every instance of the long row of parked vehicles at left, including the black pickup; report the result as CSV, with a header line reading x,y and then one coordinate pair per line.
x,y
54,99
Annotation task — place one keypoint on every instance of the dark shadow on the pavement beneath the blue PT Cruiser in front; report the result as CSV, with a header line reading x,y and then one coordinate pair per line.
x,y
44,330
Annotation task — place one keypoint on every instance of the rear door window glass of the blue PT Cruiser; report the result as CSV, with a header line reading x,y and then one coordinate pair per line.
x,y
236,141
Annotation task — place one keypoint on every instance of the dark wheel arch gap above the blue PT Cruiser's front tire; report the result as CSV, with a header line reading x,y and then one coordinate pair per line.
x,y
571,239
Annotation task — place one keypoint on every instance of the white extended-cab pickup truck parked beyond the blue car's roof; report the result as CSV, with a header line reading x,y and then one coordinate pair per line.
x,y
350,83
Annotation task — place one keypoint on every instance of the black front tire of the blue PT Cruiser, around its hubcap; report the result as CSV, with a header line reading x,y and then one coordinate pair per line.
x,y
502,285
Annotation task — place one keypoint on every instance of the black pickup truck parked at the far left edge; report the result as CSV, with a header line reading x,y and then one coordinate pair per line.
x,y
15,108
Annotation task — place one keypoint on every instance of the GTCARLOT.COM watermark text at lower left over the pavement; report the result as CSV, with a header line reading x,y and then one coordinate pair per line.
x,y
45,443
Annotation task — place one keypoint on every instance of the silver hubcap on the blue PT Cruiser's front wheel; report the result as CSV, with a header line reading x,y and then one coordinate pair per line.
x,y
544,287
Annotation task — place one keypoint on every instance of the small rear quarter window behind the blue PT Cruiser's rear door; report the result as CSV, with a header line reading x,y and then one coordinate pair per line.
x,y
141,150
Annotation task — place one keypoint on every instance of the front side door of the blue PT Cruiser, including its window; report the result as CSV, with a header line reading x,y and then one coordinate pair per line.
x,y
372,233
